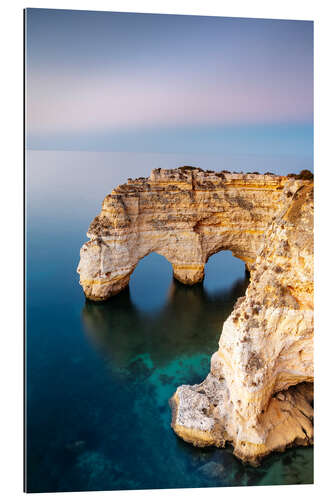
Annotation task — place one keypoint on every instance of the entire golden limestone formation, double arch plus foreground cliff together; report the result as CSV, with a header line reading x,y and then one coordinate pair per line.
x,y
258,394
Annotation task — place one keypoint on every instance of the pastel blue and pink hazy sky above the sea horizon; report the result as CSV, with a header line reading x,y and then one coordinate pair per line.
x,y
162,83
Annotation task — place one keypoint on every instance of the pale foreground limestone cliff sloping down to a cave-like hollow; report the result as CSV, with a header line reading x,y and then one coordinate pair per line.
x,y
258,394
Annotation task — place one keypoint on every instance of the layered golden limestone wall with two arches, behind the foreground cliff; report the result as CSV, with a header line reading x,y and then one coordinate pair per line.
x,y
184,215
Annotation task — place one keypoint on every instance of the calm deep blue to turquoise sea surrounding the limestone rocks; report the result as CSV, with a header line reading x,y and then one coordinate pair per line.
x,y
99,376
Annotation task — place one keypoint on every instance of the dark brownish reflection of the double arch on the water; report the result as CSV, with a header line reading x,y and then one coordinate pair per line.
x,y
189,323
